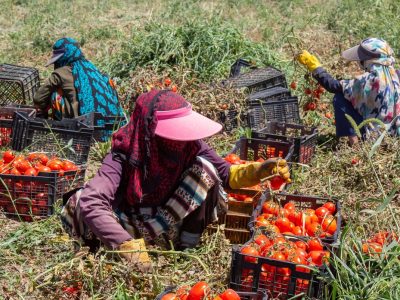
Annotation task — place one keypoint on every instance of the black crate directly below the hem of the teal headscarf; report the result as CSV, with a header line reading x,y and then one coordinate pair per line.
x,y
103,126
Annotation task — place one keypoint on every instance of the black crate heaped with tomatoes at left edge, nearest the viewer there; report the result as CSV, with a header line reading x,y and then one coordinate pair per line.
x,y
31,184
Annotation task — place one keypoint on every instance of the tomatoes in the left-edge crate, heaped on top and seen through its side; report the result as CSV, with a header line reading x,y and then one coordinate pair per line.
x,y
28,197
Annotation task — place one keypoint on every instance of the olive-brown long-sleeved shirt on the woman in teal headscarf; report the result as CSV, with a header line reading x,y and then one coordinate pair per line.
x,y
61,80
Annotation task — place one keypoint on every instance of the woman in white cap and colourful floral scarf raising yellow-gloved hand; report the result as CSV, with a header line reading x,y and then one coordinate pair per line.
x,y
374,94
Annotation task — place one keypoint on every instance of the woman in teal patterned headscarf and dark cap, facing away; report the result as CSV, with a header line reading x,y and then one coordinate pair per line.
x,y
76,87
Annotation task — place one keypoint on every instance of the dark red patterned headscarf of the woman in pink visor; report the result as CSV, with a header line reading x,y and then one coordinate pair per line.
x,y
153,165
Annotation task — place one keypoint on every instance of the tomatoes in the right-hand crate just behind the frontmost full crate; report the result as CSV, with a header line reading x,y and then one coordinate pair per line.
x,y
320,222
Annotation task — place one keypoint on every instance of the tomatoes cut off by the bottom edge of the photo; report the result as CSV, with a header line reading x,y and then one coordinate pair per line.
x,y
200,291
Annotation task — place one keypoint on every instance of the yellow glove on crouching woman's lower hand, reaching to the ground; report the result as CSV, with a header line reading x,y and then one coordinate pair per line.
x,y
140,259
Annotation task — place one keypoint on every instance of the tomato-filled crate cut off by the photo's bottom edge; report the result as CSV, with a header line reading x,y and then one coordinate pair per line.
x,y
202,291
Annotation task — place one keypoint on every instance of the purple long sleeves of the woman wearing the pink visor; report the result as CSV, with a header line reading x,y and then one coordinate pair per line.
x,y
99,196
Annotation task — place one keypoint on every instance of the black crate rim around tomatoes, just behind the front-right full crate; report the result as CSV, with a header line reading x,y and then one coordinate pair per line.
x,y
301,202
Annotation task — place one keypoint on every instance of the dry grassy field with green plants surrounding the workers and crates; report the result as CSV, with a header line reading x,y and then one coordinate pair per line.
x,y
194,43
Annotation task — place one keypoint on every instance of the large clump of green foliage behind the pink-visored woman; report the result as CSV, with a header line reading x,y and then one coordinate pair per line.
x,y
208,48
